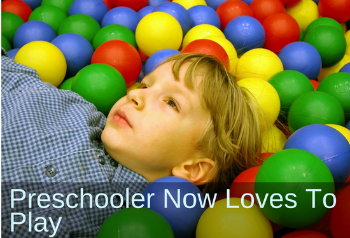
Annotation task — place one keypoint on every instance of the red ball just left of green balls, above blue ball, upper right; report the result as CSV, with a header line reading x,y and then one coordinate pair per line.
x,y
281,29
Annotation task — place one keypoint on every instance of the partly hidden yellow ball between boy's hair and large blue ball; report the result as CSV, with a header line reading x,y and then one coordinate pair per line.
x,y
273,140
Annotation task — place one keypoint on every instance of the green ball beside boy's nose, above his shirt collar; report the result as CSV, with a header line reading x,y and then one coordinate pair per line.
x,y
100,84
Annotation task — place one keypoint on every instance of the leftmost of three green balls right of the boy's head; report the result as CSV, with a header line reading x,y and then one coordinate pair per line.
x,y
289,85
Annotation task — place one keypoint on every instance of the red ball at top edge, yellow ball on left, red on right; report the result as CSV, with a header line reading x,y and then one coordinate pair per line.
x,y
231,9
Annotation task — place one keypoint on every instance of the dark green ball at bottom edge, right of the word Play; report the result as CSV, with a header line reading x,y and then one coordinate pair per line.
x,y
135,222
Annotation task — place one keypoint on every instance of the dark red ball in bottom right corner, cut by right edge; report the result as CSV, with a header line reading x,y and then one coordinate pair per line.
x,y
340,215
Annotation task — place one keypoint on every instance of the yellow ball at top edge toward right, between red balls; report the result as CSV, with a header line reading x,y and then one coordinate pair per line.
x,y
304,12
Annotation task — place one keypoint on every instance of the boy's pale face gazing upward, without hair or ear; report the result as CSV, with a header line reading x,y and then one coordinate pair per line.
x,y
164,121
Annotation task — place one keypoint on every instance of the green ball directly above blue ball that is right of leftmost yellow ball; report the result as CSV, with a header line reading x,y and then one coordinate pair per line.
x,y
80,24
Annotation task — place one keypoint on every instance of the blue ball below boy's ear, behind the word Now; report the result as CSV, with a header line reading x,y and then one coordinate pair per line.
x,y
182,220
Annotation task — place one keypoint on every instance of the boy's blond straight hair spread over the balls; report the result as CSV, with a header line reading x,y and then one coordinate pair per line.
x,y
232,137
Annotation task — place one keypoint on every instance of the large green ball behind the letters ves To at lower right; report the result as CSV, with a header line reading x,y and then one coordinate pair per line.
x,y
293,171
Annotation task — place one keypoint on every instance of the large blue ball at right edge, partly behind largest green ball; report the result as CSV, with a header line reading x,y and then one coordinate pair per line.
x,y
328,144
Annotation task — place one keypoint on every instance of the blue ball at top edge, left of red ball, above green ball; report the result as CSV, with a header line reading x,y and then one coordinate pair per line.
x,y
93,8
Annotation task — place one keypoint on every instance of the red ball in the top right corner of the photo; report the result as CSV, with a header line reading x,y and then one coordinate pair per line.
x,y
339,10
